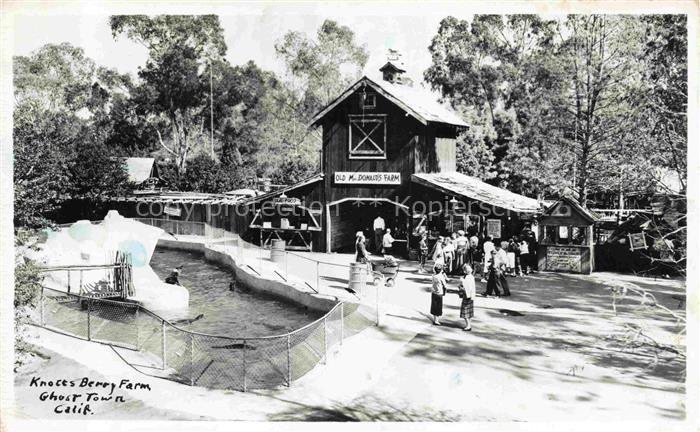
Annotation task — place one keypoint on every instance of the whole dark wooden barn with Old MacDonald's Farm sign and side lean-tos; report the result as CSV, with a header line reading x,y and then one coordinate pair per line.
x,y
389,150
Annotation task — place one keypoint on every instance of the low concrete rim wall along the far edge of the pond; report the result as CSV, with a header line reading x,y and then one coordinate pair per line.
x,y
252,281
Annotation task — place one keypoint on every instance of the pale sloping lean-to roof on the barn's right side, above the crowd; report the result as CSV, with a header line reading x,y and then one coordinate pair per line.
x,y
473,188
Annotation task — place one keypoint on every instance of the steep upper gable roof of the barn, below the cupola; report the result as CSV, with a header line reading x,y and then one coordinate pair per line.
x,y
419,102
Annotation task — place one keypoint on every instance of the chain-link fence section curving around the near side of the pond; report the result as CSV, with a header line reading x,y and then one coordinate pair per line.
x,y
159,348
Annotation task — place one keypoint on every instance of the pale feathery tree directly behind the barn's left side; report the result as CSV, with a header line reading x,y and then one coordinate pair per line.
x,y
318,69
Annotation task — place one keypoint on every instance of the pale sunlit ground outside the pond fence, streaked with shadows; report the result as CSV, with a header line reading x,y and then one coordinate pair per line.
x,y
545,354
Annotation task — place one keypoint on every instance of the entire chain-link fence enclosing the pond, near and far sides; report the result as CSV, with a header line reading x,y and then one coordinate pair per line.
x,y
162,349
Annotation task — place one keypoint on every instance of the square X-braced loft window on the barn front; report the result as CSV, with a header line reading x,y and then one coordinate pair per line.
x,y
367,136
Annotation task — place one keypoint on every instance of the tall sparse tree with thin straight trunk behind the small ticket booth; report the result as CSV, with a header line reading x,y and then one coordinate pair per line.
x,y
602,75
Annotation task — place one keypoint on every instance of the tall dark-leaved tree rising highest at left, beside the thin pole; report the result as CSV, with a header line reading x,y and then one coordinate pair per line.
x,y
173,94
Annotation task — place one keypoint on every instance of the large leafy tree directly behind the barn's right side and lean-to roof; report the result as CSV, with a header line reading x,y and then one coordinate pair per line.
x,y
501,70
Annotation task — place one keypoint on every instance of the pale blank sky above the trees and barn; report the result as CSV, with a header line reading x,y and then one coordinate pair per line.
x,y
250,32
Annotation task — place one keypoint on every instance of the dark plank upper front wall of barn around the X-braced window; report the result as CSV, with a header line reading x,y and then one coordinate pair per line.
x,y
401,133
